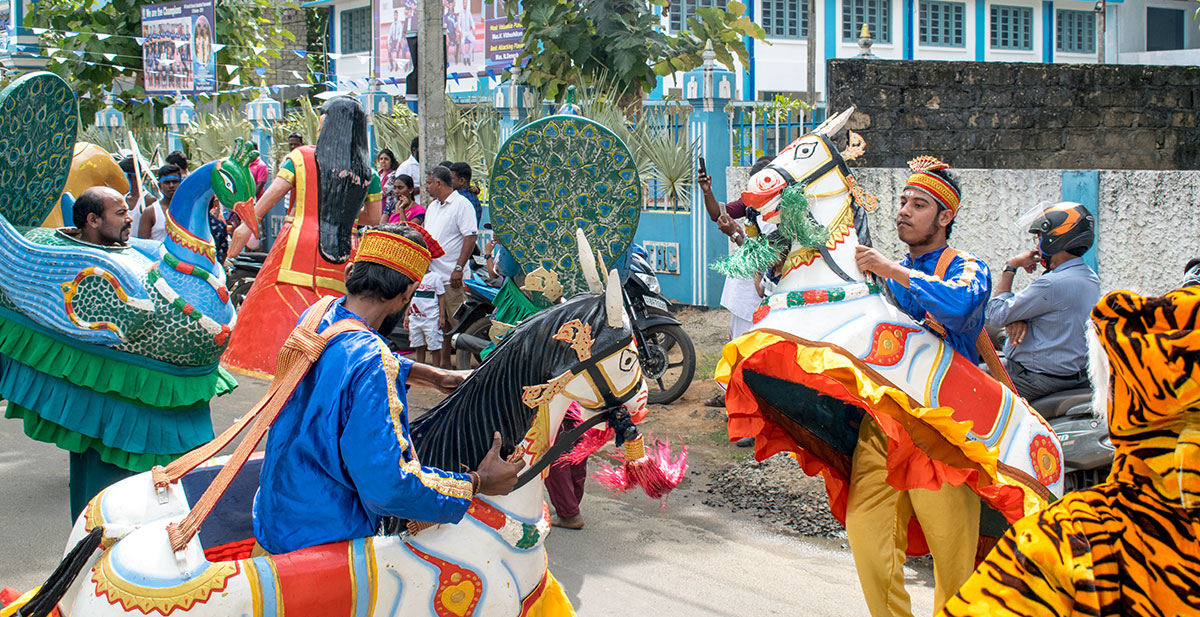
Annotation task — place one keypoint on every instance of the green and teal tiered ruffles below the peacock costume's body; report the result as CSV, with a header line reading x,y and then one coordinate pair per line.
x,y
134,411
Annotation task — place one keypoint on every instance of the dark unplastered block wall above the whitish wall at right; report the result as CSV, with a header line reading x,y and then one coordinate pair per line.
x,y
1022,116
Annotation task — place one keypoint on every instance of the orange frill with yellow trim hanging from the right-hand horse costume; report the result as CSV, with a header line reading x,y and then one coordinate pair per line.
x,y
927,447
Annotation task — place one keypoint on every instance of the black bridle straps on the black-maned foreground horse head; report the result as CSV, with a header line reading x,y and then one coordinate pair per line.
x,y
614,411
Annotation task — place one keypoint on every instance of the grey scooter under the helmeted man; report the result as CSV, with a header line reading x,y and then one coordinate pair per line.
x,y
1087,447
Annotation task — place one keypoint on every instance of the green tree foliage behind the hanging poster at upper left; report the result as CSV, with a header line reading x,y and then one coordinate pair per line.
x,y
242,26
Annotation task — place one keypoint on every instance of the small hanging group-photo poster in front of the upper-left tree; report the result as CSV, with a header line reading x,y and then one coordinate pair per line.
x,y
178,52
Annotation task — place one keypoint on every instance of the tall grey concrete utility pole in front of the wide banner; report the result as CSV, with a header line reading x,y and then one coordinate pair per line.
x,y
431,86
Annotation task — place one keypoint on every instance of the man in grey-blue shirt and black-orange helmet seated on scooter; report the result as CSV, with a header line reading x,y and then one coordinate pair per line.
x,y
1047,348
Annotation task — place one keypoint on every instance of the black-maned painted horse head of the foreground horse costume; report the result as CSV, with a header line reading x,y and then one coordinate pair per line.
x,y
581,349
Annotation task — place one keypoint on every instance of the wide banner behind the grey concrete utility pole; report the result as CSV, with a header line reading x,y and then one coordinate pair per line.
x,y
479,37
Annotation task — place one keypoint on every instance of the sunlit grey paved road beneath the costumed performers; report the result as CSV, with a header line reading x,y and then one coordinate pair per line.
x,y
632,559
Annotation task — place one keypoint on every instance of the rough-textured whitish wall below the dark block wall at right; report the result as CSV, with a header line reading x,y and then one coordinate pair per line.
x,y
1149,221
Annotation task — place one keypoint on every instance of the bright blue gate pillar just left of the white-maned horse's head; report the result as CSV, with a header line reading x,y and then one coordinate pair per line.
x,y
709,89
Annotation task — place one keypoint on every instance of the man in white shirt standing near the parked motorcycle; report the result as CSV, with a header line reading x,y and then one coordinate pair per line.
x,y
451,220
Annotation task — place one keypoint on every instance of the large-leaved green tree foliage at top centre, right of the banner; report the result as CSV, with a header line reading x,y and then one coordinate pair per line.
x,y
575,41
